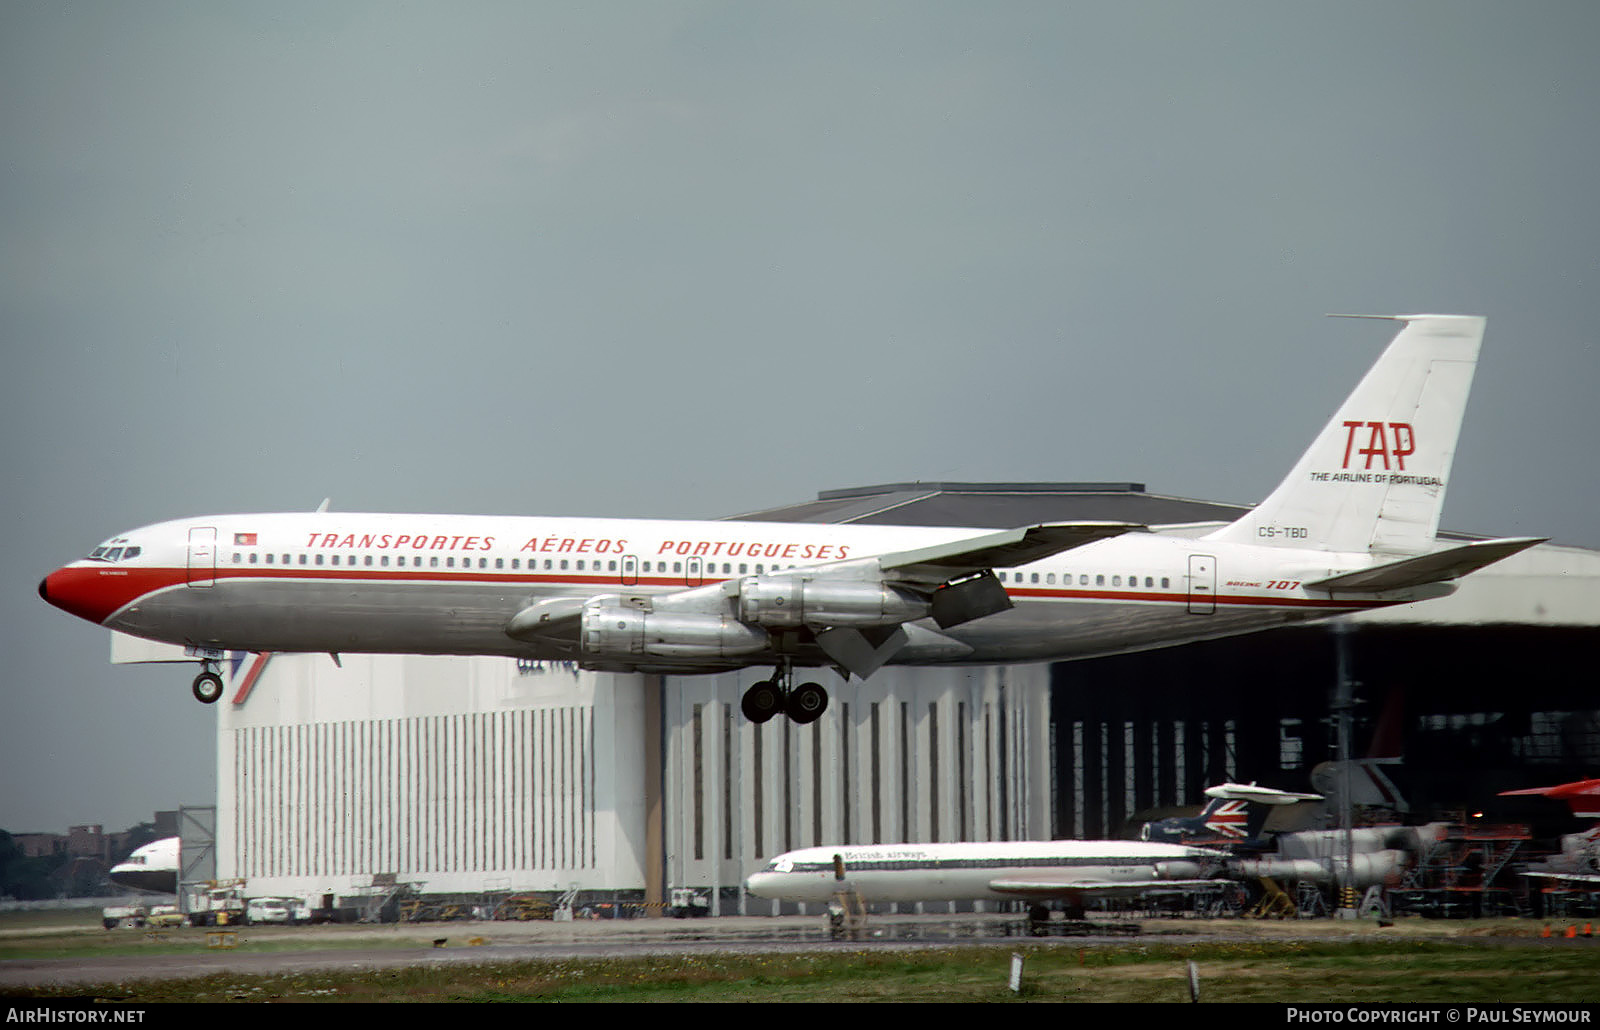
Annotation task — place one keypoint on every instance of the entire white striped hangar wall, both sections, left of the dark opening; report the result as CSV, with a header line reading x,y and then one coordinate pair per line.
x,y
492,775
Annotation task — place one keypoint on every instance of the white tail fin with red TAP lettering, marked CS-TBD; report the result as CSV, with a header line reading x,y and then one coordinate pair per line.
x,y
1375,477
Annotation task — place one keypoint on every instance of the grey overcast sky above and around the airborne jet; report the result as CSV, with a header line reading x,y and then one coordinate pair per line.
x,y
695,258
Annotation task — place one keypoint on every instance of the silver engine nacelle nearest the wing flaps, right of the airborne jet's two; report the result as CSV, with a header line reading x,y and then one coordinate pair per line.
x,y
788,602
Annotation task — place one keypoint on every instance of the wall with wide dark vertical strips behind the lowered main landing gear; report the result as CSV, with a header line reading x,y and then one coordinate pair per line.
x,y
910,756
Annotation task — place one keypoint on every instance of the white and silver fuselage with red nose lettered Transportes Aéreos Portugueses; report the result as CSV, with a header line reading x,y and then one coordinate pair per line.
x,y
449,585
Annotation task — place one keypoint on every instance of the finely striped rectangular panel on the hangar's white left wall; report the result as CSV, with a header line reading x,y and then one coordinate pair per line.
x,y
476,794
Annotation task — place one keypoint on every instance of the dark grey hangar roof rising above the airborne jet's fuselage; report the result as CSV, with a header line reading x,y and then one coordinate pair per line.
x,y
999,506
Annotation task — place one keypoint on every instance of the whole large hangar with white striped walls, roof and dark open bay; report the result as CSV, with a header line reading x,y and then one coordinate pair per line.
x,y
486,775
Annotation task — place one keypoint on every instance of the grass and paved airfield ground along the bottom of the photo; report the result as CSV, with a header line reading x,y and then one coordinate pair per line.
x,y
924,959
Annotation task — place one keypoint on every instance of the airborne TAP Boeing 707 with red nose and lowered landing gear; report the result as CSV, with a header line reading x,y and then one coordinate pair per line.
x,y
1351,529
